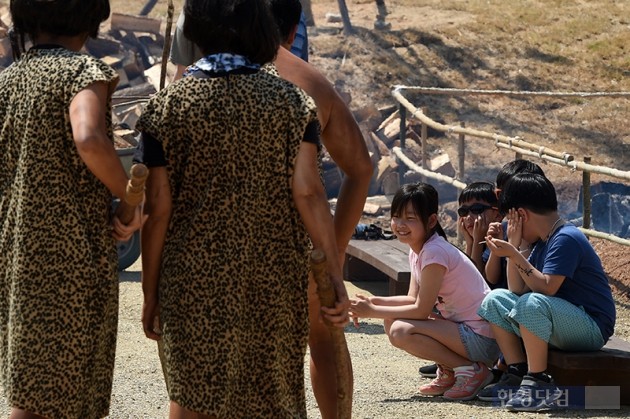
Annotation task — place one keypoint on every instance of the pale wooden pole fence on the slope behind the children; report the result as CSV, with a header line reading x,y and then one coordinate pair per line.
x,y
515,144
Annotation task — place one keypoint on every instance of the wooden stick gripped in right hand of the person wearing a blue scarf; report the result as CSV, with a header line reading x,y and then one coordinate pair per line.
x,y
327,298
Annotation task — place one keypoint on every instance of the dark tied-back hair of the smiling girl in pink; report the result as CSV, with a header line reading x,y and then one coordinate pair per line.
x,y
423,198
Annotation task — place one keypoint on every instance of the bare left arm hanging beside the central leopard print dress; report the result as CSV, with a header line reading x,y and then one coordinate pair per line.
x,y
158,206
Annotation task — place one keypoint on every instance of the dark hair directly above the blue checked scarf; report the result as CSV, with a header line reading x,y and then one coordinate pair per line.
x,y
243,27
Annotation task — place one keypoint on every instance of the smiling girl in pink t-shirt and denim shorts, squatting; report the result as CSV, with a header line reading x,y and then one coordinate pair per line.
x,y
437,320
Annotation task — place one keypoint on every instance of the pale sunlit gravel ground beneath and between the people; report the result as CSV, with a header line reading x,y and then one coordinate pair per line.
x,y
386,379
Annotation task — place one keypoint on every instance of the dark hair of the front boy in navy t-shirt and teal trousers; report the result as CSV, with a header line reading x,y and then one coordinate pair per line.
x,y
530,191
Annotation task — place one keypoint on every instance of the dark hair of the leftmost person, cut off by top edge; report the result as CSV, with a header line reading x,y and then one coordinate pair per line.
x,y
57,17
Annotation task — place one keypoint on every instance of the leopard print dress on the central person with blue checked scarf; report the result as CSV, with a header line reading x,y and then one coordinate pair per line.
x,y
233,285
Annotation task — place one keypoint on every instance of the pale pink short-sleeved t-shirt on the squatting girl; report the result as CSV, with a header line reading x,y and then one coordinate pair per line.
x,y
463,288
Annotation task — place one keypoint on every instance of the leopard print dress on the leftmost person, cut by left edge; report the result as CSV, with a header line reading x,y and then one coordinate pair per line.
x,y
58,262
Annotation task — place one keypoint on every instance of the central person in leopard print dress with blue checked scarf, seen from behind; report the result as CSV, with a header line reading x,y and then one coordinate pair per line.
x,y
234,194
